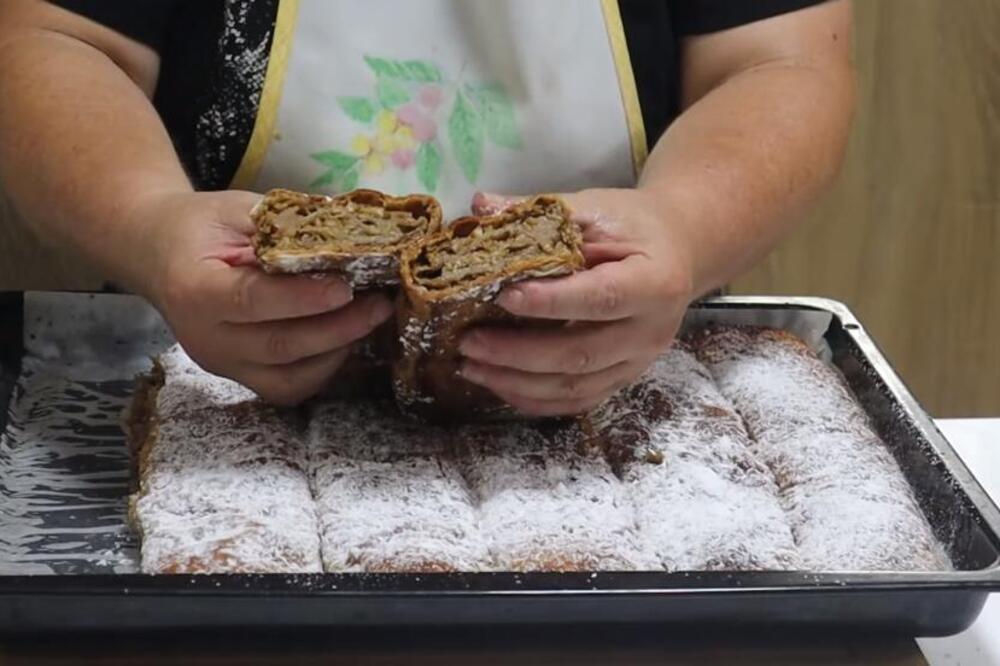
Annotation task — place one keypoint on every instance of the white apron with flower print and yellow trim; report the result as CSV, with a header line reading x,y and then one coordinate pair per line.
x,y
446,97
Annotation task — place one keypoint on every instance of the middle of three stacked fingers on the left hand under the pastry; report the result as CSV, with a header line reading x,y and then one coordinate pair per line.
x,y
290,340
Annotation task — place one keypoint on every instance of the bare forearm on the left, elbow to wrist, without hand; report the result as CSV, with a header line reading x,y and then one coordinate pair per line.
x,y
79,145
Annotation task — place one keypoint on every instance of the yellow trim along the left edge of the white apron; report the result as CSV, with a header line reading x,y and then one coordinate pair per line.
x,y
270,96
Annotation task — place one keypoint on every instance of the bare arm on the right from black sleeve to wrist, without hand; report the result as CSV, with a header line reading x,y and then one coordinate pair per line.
x,y
768,110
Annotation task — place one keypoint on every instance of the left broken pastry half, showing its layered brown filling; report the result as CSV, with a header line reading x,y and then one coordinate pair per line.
x,y
358,235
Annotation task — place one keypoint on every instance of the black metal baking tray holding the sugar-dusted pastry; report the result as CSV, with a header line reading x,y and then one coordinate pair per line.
x,y
914,604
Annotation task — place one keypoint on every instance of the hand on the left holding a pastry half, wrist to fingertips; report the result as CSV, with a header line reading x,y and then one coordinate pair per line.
x,y
282,336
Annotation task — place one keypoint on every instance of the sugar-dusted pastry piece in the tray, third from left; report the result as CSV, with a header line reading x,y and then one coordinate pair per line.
x,y
546,506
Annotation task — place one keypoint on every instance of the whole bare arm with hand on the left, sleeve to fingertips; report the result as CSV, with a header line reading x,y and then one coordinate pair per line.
x,y
86,160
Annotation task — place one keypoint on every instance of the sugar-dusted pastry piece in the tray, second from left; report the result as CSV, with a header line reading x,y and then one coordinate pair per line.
x,y
389,497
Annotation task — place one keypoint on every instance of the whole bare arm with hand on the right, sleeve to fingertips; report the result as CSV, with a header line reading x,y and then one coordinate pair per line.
x,y
768,107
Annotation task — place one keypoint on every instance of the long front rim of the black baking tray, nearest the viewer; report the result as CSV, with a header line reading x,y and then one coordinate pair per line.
x,y
498,584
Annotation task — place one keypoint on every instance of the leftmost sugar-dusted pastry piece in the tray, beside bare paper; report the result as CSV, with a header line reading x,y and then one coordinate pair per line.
x,y
223,488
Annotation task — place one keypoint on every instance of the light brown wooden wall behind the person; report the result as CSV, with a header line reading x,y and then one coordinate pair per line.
x,y
910,235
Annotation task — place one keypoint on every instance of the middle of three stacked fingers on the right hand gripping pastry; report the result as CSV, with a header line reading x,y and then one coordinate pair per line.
x,y
568,350
